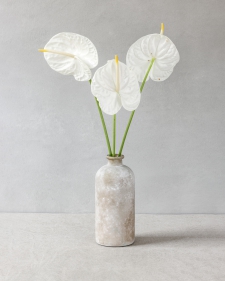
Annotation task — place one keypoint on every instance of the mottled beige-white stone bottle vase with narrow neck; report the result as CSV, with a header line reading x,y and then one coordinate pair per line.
x,y
114,204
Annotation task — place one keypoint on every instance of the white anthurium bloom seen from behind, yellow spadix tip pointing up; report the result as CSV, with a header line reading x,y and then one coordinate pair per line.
x,y
154,48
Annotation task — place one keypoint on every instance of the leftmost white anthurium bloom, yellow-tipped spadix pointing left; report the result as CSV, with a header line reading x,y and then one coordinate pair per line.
x,y
71,54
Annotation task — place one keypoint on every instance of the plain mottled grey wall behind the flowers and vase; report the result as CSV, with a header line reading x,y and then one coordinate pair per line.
x,y
51,141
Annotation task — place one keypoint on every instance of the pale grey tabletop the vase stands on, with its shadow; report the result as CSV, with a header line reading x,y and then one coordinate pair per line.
x,y
61,247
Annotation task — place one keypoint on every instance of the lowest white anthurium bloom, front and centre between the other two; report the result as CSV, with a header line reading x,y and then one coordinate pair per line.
x,y
114,86
